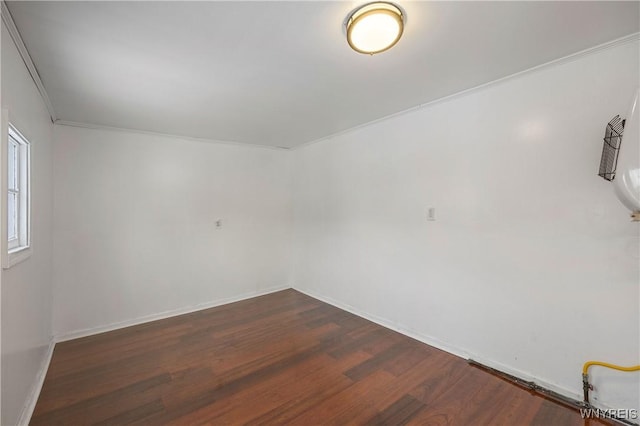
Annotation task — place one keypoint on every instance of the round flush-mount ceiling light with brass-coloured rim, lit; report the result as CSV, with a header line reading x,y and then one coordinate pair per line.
x,y
374,27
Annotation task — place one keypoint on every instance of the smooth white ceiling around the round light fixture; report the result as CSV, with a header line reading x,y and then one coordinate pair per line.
x,y
281,73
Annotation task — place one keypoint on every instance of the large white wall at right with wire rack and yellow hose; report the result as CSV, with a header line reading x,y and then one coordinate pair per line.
x,y
532,263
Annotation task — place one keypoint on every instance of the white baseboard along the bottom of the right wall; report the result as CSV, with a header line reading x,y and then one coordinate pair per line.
x,y
452,349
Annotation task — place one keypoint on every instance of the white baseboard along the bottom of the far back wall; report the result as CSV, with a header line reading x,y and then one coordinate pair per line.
x,y
163,315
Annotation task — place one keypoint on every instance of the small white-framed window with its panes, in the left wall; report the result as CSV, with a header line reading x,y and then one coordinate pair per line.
x,y
16,183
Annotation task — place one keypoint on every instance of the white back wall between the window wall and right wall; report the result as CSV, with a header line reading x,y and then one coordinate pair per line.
x,y
135,231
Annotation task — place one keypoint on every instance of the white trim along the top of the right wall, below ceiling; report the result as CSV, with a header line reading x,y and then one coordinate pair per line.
x,y
560,61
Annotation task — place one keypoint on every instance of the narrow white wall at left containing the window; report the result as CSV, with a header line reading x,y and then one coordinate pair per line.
x,y
26,287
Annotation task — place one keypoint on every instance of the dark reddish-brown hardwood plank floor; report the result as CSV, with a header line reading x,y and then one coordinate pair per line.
x,y
279,358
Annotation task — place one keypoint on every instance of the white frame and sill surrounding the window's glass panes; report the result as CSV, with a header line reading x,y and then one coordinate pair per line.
x,y
19,249
